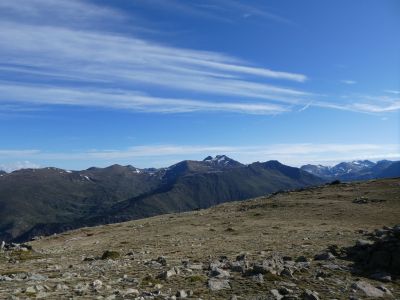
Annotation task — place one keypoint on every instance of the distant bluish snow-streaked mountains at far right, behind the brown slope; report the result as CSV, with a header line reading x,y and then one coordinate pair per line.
x,y
355,170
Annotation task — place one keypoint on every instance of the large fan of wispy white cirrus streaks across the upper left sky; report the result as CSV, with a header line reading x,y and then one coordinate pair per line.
x,y
55,63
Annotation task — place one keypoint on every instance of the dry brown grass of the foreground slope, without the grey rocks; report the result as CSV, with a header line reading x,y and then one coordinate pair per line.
x,y
292,223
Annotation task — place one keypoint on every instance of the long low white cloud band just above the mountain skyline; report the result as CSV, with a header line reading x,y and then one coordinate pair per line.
x,y
158,155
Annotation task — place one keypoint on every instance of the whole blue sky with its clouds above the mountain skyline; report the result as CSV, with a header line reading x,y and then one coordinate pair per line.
x,y
151,82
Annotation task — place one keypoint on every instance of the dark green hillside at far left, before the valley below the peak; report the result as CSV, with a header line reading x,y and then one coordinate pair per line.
x,y
33,196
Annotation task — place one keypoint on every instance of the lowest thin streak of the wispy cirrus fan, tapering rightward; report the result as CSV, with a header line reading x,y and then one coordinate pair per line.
x,y
42,95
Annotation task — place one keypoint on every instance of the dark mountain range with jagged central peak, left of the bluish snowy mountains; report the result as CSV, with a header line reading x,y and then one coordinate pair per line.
x,y
44,201
